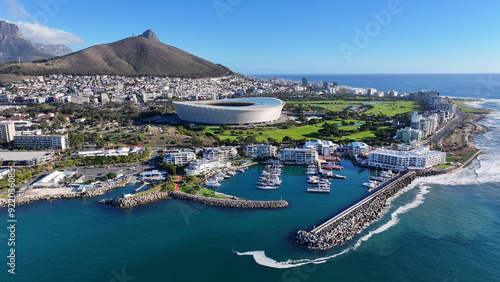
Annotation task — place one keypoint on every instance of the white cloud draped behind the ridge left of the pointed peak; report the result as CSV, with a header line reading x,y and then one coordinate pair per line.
x,y
45,35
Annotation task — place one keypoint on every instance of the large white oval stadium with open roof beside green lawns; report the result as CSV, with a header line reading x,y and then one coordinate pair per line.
x,y
231,111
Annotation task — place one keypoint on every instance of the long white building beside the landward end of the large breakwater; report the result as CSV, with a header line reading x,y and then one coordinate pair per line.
x,y
421,158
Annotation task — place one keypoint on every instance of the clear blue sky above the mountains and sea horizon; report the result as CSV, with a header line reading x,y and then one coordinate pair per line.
x,y
284,36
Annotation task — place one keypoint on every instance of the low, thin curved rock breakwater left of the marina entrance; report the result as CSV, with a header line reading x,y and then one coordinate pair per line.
x,y
227,203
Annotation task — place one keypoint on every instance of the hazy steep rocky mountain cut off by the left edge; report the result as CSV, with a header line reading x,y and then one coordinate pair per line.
x,y
14,47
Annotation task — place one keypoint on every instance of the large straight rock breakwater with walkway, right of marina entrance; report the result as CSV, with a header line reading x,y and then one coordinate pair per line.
x,y
344,226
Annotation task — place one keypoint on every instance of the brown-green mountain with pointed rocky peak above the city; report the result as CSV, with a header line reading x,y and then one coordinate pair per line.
x,y
142,55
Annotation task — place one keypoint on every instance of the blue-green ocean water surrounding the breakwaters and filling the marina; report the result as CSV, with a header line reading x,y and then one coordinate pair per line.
x,y
442,228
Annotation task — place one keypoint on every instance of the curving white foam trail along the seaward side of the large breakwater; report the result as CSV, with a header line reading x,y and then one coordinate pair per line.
x,y
261,258
